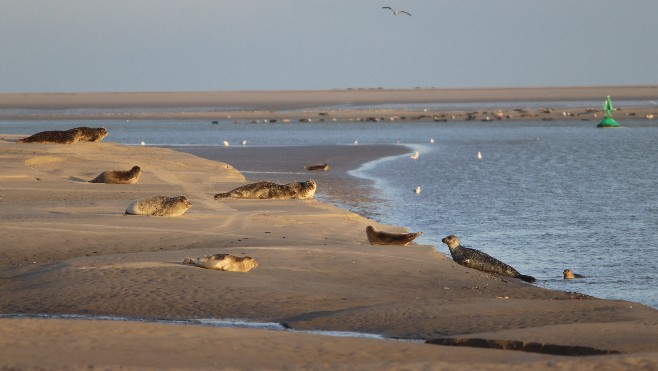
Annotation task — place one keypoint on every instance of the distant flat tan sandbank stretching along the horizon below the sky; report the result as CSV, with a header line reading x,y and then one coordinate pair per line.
x,y
316,105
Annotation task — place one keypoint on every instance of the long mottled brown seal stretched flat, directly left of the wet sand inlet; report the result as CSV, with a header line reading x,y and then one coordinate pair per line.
x,y
269,190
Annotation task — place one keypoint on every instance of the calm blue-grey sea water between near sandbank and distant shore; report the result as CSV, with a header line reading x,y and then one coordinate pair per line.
x,y
544,197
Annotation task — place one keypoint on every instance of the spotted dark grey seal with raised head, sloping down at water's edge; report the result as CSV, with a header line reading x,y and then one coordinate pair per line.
x,y
476,259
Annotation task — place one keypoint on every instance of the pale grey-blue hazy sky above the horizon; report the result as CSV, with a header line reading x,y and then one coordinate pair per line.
x,y
215,45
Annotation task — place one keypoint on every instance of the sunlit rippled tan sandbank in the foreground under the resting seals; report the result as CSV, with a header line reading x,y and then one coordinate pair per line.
x,y
68,248
